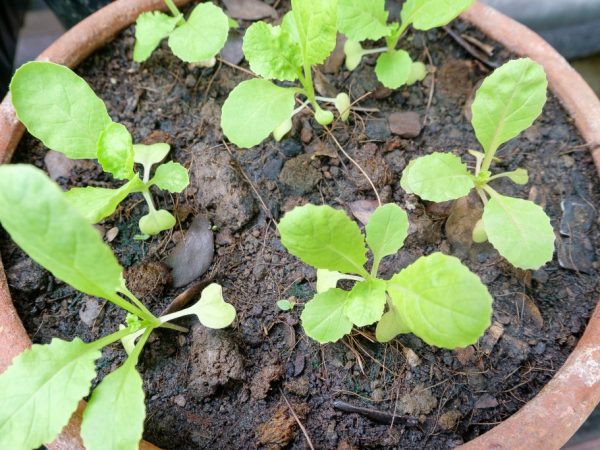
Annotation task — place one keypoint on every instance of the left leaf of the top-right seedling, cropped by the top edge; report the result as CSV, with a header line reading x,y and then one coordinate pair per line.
x,y
363,19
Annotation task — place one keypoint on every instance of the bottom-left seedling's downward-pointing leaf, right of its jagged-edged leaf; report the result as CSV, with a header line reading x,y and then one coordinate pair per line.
x,y
114,417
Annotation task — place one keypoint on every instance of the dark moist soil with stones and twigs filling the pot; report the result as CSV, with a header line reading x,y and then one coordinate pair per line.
x,y
235,388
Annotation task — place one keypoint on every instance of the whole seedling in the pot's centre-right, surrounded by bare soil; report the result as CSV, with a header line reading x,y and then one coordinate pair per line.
x,y
437,298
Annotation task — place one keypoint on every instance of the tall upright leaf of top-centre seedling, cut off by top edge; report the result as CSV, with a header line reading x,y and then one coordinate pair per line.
x,y
316,23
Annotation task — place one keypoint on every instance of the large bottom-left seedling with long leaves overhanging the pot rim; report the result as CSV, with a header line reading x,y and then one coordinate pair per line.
x,y
43,386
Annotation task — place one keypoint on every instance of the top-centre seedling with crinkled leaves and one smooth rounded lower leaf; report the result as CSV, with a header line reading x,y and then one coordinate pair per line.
x,y
287,53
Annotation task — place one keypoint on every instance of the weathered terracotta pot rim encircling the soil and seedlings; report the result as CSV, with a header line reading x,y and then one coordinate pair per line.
x,y
549,419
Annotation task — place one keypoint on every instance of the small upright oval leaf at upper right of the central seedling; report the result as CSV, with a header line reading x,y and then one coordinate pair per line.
x,y
386,230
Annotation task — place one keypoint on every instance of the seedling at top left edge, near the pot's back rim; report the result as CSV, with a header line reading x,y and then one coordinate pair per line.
x,y
195,40
